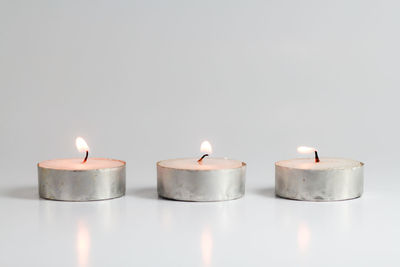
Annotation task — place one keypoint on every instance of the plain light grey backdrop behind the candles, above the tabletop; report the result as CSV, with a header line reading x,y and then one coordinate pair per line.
x,y
143,81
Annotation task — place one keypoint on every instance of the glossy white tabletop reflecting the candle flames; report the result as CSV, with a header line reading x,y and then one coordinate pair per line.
x,y
142,230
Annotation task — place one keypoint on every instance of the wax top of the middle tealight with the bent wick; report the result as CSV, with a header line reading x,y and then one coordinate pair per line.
x,y
207,164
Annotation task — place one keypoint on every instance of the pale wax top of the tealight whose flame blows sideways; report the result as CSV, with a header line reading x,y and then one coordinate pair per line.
x,y
324,164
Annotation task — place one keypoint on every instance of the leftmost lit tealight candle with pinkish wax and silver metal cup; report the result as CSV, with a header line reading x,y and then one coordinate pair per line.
x,y
81,180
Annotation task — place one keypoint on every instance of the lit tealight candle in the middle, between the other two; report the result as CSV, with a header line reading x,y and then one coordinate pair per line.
x,y
204,179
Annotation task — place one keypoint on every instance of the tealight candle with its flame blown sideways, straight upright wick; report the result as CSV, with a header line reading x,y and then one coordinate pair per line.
x,y
325,179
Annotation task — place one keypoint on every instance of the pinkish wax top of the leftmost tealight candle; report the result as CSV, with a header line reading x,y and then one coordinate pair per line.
x,y
76,164
